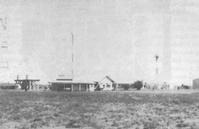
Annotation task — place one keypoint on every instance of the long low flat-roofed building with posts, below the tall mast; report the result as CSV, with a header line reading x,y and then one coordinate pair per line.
x,y
71,86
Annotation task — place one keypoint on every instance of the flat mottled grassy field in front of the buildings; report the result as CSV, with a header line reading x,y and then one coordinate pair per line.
x,y
99,110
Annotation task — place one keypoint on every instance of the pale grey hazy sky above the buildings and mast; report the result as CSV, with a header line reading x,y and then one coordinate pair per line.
x,y
111,37
